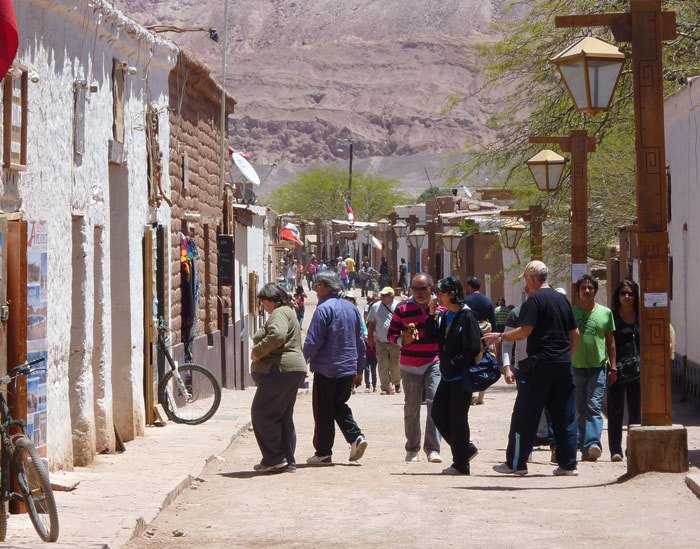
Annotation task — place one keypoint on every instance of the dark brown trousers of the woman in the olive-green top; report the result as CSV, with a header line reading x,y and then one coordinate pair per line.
x,y
272,414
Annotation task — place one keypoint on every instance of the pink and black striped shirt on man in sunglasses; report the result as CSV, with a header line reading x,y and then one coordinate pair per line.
x,y
421,352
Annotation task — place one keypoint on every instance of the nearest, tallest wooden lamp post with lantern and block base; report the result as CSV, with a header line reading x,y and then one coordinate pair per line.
x,y
657,445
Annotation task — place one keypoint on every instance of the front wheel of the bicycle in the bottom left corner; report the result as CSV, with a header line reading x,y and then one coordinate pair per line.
x,y
36,489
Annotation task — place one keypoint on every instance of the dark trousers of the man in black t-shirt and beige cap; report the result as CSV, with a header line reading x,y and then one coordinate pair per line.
x,y
551,384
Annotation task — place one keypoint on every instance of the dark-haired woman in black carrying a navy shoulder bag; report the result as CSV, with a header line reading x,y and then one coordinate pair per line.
x,y
459,338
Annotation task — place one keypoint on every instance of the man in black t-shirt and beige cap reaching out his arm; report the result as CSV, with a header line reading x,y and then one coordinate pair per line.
x,y
548,323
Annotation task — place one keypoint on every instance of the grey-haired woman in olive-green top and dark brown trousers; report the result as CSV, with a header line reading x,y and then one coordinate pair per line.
x,y
278,368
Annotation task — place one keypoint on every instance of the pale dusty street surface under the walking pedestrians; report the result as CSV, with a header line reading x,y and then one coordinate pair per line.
x,y
385,502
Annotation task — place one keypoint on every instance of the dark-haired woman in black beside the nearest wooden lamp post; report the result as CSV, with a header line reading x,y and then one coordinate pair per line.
x,y
625,307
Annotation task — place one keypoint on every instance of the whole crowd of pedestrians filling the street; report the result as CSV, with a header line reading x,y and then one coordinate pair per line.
x,y
561,357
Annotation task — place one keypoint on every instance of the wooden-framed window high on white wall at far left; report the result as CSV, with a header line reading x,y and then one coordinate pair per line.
x,y
15,118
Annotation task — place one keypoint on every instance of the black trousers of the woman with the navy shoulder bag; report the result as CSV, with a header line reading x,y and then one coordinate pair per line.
x,y
451,417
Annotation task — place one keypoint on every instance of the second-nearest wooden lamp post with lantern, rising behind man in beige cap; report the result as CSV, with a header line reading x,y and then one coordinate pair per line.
x,y
578,144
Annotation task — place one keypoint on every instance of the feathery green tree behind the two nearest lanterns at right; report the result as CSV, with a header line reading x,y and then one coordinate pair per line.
x,y
537,103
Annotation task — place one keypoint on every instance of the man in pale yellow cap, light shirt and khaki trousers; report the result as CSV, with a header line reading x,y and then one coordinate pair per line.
x,y
378,321
